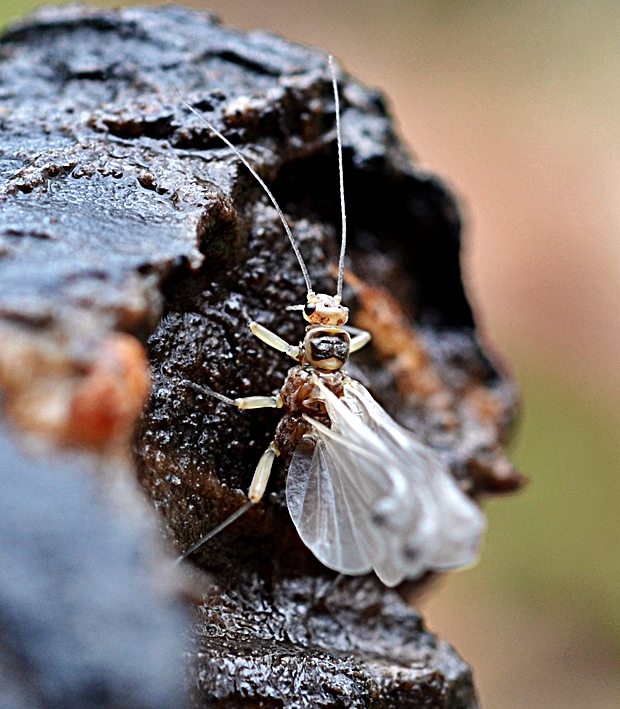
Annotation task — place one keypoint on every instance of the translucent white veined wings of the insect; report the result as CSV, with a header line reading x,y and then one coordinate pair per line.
x,y
368,494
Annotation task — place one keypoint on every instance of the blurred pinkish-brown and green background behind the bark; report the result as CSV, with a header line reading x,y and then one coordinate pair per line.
x,y
517,106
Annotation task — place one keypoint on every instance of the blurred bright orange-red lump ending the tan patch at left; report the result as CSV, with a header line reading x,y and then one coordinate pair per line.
x,y
110,396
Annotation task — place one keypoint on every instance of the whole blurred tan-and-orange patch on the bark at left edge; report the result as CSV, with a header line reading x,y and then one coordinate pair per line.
x,y
91,403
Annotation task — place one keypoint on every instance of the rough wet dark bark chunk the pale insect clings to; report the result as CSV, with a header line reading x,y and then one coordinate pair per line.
x,y
123,215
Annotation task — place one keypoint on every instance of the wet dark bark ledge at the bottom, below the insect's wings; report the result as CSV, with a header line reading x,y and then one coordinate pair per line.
x,y
359,646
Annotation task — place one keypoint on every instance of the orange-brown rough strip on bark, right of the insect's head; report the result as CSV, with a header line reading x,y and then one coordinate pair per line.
x,y
484,410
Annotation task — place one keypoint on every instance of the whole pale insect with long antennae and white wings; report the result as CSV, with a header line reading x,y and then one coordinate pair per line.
x,y
363,492
